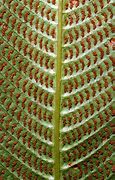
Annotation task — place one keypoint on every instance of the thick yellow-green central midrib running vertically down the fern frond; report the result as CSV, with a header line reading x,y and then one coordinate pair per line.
x,y
56,117
